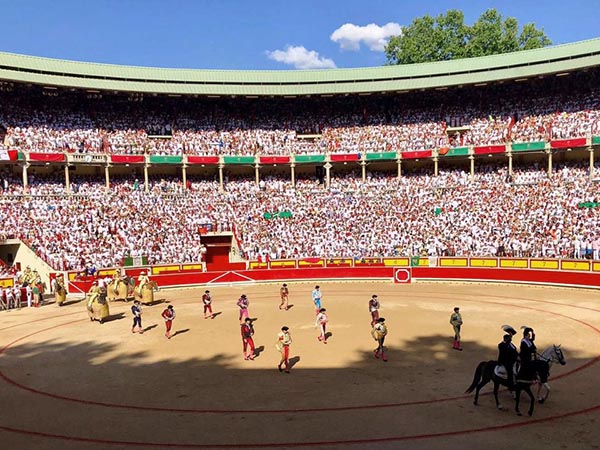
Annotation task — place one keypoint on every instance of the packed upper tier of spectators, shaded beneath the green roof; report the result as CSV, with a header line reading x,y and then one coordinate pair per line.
x,y
536,110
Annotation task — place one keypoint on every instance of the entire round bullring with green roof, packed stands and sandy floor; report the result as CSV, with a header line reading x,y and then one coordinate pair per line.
x,y
470,184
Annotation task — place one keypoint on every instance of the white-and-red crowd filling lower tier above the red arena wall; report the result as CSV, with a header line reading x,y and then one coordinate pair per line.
x,y
529,214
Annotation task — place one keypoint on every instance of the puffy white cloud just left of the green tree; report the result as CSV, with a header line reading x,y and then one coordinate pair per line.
x,y
350,36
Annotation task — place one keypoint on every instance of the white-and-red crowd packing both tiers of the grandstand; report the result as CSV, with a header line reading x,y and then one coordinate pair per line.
x,y
524,209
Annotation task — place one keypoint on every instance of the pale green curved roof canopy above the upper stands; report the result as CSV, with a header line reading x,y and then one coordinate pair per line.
x,y
49,72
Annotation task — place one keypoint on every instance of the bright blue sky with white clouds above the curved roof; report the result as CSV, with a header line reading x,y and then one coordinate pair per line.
x,y
251,34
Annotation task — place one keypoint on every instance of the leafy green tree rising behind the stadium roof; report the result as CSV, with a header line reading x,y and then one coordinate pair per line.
x,y
446,37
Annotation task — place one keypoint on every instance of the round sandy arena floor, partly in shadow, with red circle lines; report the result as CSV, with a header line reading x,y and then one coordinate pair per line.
x,y
67,383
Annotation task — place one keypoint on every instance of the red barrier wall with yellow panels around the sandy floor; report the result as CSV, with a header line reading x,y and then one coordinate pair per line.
x,y
577,273
